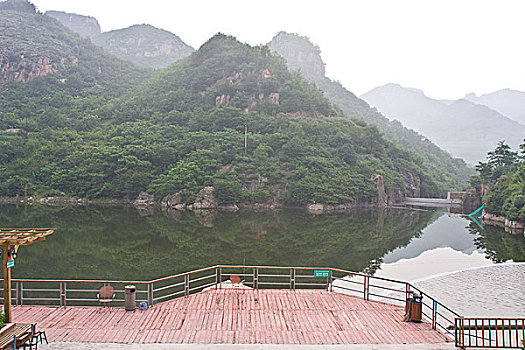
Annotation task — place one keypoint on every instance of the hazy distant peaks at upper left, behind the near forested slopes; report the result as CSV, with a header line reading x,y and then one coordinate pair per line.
x,y
141,44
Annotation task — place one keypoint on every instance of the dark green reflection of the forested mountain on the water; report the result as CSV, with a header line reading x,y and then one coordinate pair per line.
x,y
98,242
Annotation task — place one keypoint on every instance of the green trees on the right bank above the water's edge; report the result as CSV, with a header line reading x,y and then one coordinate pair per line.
x,y
504,172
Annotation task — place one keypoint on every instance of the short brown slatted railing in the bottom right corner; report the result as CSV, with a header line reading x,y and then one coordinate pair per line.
x,y
502,333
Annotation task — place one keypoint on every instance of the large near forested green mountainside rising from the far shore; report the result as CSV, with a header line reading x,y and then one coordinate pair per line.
x,y
89,129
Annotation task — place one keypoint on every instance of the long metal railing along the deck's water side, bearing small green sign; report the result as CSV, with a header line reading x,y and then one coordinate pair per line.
x,y
84,292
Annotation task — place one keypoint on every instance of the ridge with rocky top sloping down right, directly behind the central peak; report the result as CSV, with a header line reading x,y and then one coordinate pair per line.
x,y
302,55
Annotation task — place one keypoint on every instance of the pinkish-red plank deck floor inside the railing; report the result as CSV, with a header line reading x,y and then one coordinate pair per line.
x,y
236,316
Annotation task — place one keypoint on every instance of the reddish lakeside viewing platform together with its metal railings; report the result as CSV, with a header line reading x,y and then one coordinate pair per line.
x,y
229,304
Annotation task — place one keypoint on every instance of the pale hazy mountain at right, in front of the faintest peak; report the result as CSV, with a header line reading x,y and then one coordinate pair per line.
x,y
465,129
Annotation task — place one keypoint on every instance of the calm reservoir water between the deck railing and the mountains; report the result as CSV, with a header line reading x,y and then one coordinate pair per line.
x,y
122,243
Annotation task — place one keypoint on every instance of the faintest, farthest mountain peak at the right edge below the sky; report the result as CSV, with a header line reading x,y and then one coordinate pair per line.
x,y
510,103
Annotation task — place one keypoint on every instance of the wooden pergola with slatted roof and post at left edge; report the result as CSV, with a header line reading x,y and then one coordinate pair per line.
x,y
11,239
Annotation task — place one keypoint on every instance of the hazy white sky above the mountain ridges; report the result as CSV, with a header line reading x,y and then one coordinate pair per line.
x,y
445,48
